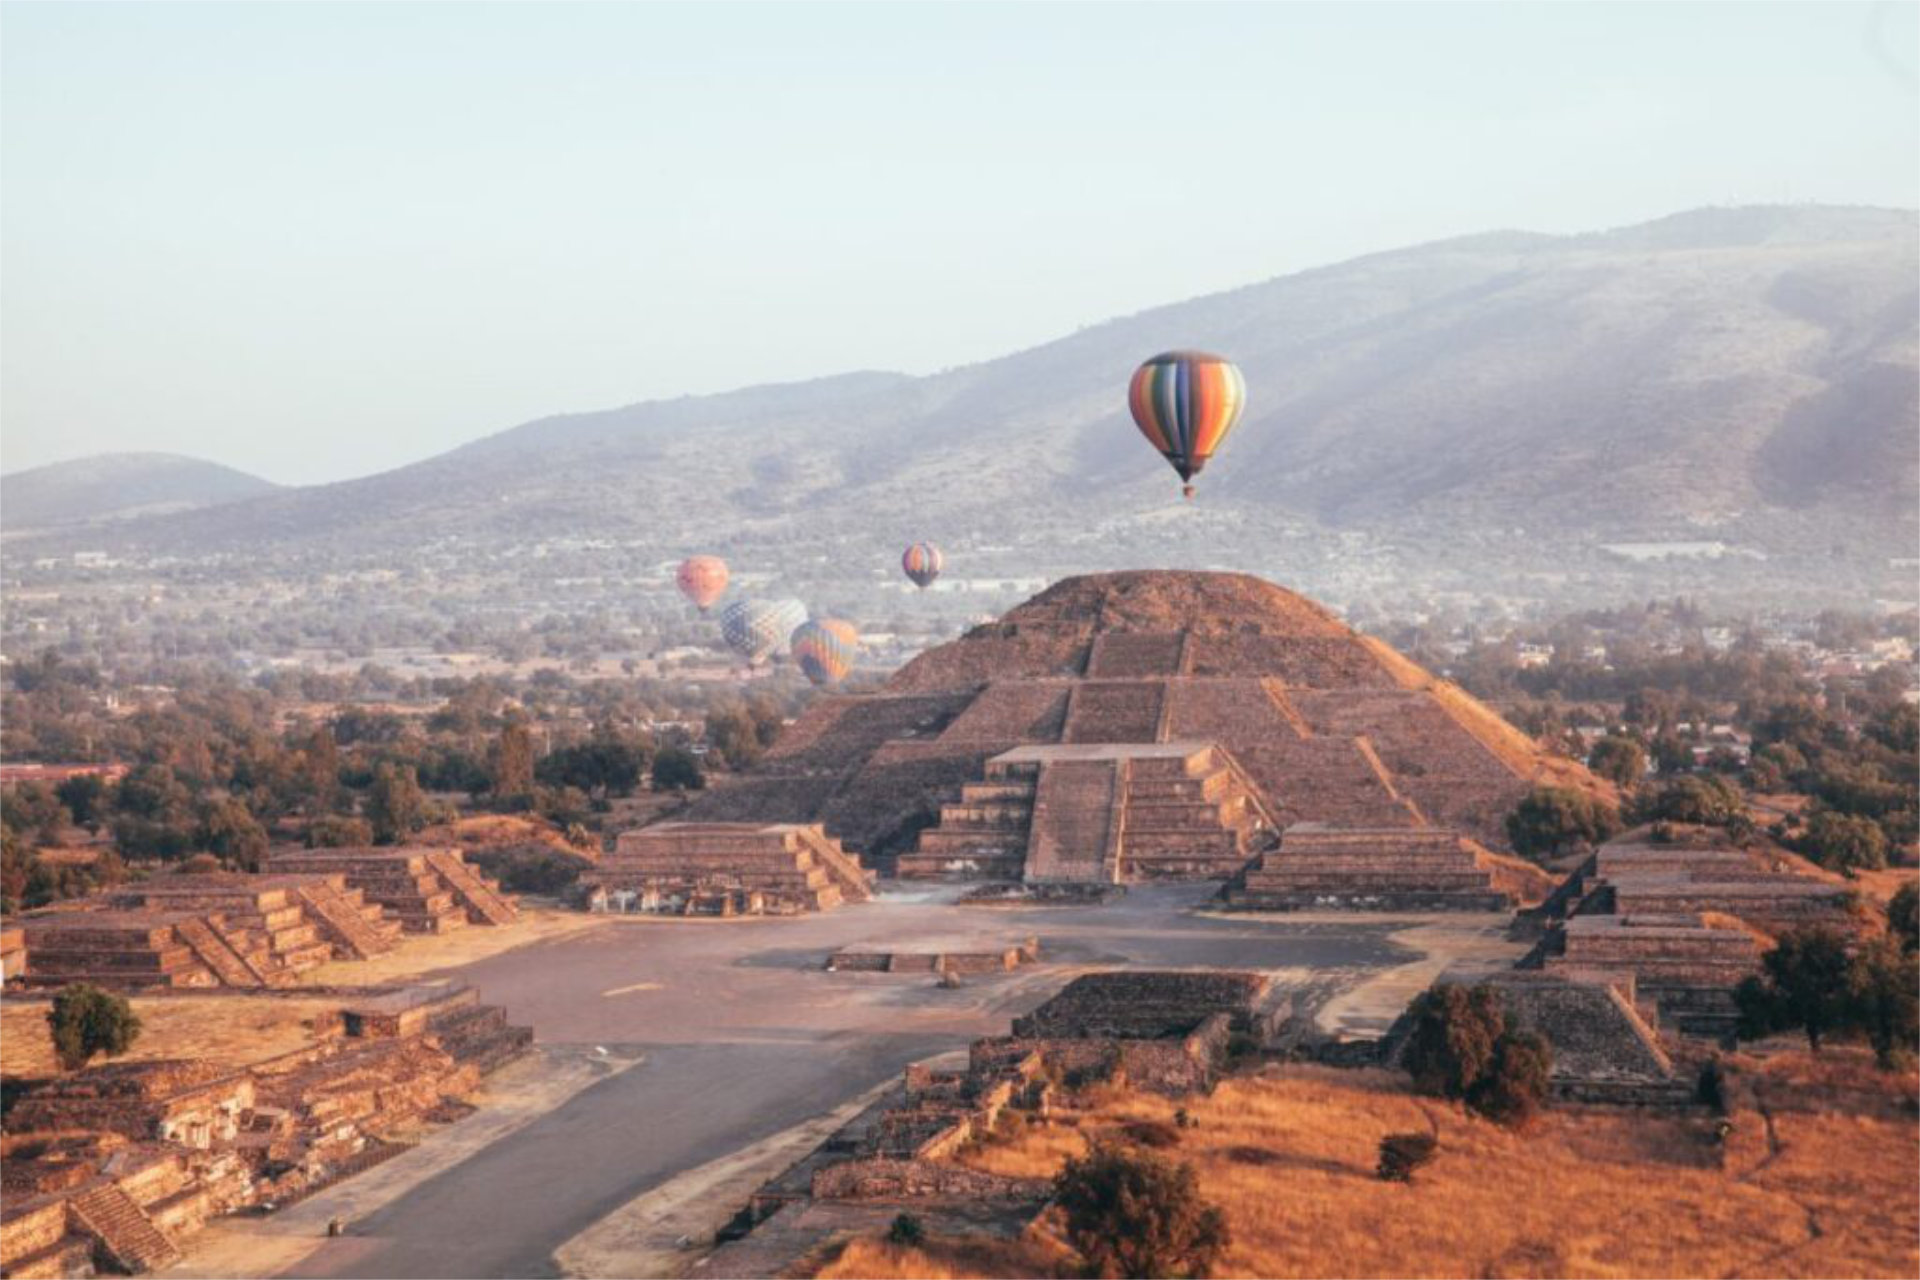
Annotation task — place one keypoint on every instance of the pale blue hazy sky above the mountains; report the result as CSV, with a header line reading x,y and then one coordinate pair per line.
x,y
318,241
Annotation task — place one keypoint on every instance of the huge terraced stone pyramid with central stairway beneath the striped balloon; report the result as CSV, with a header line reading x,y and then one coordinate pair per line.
x,y
1143,726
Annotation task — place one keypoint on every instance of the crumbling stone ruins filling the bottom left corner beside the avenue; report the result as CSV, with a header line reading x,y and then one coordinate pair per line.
x,y
112,1168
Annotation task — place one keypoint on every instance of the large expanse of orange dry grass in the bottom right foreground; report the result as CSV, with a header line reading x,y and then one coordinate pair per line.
x,y
1585,1193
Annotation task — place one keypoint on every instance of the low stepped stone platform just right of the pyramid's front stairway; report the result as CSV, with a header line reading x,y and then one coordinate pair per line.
x,y
1370,868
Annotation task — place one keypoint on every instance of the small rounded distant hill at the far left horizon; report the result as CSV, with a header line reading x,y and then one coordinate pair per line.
x,y
118,486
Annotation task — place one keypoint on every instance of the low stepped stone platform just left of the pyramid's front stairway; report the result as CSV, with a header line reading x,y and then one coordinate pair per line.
x,y
709,868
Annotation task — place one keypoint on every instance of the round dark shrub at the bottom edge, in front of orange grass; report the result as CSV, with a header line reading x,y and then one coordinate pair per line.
x,y
1138,1216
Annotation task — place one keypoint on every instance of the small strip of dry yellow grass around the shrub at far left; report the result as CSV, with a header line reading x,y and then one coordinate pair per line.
x,y
231,1031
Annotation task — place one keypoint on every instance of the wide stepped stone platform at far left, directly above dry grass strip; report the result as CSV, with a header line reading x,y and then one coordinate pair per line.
x,y
204,932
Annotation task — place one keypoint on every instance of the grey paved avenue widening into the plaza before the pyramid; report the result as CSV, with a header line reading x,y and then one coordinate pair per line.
x,y
746,1035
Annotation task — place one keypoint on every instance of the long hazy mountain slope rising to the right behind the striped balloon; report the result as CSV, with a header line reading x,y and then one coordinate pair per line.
x,y
1742,375
